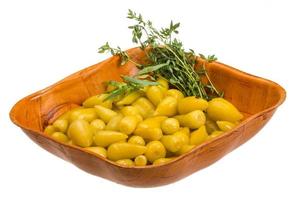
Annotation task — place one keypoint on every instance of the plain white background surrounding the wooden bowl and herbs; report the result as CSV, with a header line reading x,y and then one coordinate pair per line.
x,y
43,41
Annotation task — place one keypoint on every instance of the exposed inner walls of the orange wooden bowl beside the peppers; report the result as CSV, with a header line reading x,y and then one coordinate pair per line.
x,y
250,94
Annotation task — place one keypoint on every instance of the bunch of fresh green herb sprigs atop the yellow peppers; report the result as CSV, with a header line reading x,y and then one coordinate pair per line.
x,y
167,58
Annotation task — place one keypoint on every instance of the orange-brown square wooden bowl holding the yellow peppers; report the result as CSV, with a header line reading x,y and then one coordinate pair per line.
x,y
256,97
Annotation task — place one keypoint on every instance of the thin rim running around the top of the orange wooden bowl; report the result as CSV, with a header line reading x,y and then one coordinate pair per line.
x,y
198,147
